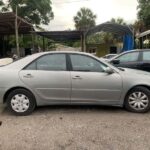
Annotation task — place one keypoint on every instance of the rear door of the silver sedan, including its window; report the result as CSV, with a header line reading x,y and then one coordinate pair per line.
x,y
48,77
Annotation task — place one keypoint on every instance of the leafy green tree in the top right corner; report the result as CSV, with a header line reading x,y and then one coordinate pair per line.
x,y
144,12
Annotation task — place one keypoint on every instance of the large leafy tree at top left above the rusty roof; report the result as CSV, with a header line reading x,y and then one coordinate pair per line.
x,y
35,12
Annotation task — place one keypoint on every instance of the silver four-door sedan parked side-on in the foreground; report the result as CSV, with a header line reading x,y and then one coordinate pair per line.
x,y
52,78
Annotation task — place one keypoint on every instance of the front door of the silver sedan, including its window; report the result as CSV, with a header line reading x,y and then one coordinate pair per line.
x,y
90,83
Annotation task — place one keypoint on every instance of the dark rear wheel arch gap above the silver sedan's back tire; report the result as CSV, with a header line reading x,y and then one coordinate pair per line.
x,y
14,88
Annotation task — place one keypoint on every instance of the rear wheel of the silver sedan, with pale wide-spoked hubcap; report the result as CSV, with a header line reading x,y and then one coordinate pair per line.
x,y
21,102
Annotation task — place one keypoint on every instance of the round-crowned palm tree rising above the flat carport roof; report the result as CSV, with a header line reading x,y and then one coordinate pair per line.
x,y
84,19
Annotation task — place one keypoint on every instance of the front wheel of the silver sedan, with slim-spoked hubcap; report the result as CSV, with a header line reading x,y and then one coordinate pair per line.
x,y
138,100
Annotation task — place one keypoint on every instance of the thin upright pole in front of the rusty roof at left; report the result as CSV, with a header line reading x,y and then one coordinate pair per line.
x,y
16,31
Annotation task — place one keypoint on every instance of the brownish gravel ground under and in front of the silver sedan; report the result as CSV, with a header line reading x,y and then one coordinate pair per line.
x,y
75,128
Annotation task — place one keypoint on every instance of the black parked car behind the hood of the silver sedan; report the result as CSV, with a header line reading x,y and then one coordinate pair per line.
x,y
135,59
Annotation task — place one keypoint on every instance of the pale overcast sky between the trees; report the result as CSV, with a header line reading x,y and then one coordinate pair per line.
x,y
64,10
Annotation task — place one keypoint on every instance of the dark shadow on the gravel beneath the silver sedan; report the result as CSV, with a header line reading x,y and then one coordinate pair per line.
x,y
71,109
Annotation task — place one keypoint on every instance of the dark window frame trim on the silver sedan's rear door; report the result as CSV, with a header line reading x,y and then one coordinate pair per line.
x,y
35,60
